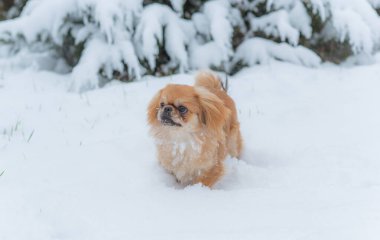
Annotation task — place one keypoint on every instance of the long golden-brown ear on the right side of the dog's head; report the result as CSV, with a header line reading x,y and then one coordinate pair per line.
x,y
214,113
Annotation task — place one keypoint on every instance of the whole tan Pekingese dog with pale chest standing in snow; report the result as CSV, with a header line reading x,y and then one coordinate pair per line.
x,y
195,127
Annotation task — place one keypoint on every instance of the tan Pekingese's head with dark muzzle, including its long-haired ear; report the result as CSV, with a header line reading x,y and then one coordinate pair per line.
x,y
188,108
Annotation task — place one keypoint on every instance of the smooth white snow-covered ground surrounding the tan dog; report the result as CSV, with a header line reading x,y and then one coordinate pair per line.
x,y
82,166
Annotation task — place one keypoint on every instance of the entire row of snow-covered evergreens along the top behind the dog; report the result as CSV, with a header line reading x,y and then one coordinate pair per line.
x,y
100,40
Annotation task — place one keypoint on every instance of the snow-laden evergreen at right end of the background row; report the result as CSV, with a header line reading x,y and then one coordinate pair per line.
x,y
334,29
